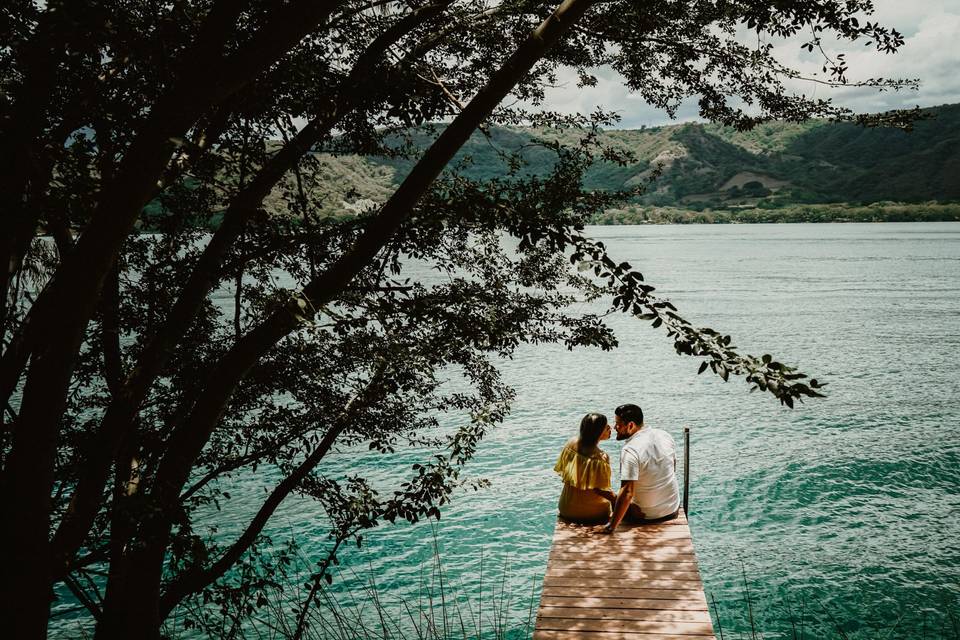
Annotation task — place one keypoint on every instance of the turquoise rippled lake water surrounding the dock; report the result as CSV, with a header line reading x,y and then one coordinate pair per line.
x,y
847,506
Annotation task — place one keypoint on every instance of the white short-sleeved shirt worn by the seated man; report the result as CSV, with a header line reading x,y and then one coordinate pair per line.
x,y
649,457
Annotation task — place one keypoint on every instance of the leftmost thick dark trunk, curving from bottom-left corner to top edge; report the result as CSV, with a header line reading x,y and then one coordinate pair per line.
x,y
62,312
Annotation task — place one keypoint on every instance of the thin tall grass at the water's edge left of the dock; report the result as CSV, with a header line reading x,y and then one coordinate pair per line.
x,y
355,607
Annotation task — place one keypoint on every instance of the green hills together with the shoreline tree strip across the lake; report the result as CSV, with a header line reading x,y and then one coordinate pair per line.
x,y
814,171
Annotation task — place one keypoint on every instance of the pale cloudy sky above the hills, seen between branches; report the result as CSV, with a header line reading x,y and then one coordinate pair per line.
x,y
931,53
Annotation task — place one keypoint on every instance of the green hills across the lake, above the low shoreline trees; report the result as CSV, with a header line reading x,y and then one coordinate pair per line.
x,y
709,167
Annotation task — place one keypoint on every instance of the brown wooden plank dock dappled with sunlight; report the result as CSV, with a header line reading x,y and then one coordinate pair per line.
x,y
640,584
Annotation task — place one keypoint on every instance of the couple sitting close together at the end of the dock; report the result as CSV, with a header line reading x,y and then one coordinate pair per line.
x,y
648,482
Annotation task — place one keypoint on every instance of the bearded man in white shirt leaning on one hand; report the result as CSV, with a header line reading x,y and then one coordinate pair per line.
x,y
648,465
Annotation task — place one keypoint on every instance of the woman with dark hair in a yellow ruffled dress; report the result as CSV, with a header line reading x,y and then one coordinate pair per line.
x,y
585,470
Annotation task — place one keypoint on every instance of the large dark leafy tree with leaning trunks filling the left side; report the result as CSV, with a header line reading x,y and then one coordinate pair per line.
x,y
128,393
